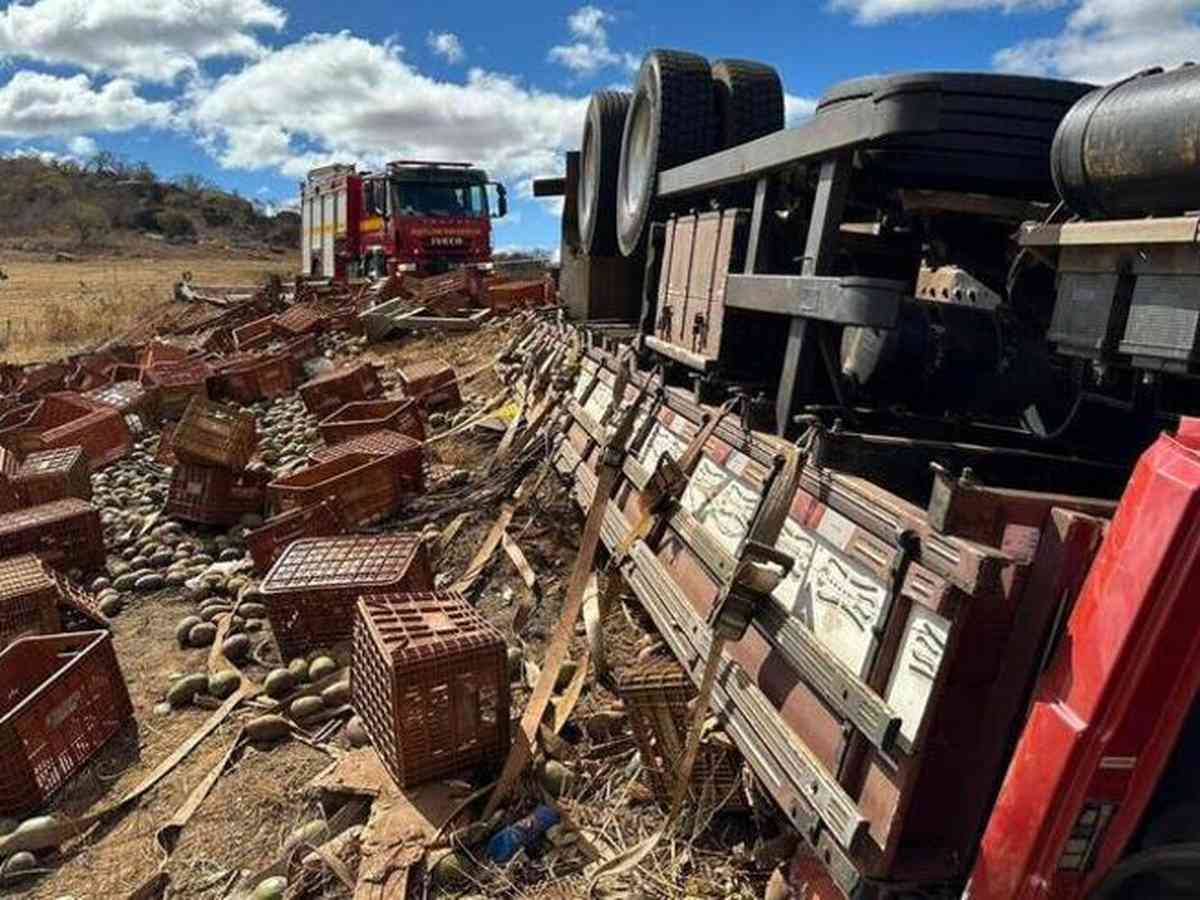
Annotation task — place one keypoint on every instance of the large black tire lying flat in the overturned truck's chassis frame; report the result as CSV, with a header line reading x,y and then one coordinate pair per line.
x,y
995,139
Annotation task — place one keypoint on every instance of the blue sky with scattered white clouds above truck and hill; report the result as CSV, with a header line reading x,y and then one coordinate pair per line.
x,y
251,93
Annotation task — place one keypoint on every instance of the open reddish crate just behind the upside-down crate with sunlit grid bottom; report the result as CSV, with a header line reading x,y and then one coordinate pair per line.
x,y
370,488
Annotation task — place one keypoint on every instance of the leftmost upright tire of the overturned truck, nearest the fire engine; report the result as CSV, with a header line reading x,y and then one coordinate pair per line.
x,y
599,166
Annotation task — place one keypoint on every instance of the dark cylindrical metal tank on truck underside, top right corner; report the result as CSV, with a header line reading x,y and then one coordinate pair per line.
x,y
1132,149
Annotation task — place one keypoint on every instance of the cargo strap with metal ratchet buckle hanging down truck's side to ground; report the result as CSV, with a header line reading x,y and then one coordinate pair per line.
x,y
759,571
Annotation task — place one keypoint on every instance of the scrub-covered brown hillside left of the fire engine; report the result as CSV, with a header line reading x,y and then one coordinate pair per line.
x,y
115,208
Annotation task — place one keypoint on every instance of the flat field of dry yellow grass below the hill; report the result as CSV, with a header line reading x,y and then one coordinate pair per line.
x,y
49,310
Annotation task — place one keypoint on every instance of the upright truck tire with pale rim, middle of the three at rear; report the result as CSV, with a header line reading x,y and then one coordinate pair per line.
x,y
670,123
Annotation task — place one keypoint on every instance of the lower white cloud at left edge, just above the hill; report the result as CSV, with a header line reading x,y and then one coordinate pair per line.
x,y
34,105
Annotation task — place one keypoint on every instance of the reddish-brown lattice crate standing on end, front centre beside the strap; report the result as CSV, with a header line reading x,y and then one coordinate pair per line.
x,y
429,677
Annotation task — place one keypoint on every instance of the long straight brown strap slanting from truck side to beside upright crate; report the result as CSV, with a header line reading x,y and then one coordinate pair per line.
x,y
611,461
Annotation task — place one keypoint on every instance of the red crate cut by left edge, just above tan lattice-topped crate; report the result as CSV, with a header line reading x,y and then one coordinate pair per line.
x,y
65,533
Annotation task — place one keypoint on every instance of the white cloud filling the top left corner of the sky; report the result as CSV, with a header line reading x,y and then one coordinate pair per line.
x,y
154,41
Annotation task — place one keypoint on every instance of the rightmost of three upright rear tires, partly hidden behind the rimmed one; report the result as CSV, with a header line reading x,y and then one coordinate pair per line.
x,y
748,101
